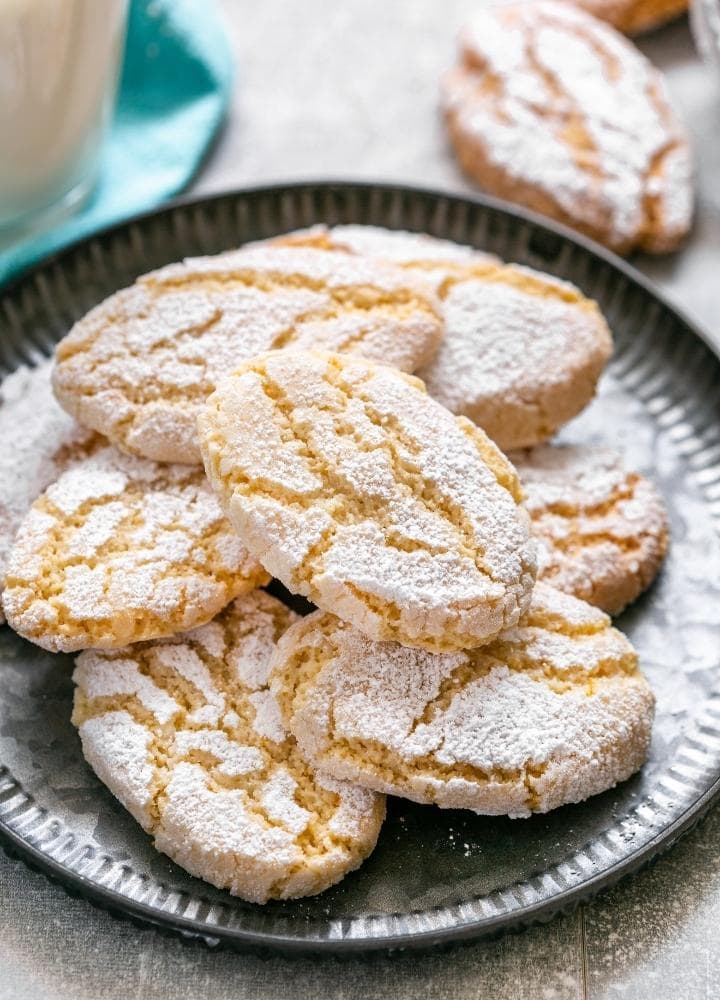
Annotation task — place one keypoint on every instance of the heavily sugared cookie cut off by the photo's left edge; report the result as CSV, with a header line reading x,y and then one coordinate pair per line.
x,y
40,441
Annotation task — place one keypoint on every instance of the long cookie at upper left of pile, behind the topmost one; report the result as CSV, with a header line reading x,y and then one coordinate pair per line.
x,y
140,366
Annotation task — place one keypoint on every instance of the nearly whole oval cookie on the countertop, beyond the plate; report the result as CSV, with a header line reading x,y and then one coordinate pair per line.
x,y
553,109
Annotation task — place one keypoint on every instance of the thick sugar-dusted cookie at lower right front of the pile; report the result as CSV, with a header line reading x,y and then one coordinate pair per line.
x,y
551,712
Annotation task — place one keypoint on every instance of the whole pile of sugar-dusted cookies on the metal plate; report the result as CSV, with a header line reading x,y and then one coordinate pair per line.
x,y
252,416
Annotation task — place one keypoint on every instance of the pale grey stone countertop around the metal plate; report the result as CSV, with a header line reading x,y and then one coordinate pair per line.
x,y
327,89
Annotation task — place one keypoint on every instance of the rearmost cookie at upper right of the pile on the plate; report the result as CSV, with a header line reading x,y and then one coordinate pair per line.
x,y
522,351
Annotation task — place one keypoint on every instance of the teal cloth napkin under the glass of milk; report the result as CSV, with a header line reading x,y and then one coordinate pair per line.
x,y
174,90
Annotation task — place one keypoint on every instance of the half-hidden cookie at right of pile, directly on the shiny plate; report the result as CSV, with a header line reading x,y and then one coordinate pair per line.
x,y
602,532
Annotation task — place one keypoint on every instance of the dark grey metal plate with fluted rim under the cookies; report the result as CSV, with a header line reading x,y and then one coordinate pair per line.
x,y
435,875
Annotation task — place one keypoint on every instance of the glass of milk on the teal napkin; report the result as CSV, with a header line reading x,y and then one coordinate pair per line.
x,y
59,67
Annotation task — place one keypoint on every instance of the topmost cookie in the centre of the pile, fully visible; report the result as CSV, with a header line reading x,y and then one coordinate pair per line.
x,y
358,491
